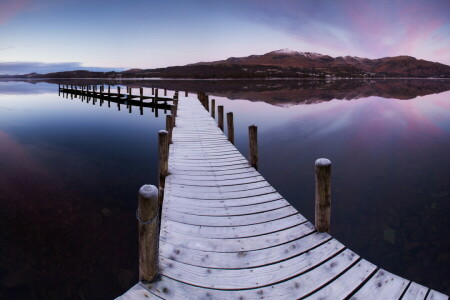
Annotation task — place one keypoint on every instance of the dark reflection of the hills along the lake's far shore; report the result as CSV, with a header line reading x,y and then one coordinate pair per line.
x,y
282,92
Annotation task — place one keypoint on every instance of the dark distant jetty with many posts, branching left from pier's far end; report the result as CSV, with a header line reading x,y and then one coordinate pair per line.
x,y
96,93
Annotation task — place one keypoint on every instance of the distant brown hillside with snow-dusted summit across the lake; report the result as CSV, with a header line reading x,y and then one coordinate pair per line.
x,y
281,64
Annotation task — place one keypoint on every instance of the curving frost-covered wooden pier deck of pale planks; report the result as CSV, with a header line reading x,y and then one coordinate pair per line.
x,y
227,234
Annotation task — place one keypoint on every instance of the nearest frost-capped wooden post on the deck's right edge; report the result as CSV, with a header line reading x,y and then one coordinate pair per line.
x,y
323,195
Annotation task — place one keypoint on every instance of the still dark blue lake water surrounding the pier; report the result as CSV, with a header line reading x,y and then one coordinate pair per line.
x,y
70,172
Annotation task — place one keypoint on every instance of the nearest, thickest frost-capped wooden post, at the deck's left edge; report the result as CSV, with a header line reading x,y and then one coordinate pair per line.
x,y
148,227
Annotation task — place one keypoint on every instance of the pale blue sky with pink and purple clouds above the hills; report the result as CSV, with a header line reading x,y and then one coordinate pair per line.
x,y
102,35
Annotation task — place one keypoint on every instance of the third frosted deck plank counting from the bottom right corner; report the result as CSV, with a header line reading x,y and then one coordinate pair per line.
x,y
383,285
